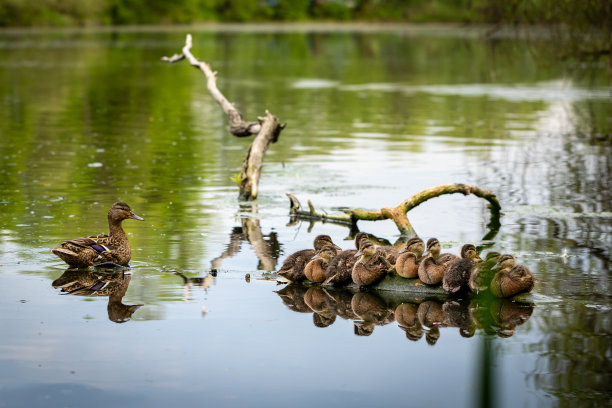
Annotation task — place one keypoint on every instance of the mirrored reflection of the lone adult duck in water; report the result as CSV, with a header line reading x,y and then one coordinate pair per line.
x,y
86,283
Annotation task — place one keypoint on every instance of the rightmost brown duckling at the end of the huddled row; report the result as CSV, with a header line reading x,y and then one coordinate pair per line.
x,y
511,279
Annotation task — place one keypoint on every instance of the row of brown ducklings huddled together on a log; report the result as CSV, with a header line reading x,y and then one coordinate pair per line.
x,y
369,263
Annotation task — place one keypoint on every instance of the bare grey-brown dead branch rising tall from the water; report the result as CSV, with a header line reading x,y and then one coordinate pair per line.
x,y
267,128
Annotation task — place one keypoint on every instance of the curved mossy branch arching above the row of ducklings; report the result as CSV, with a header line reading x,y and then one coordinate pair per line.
x,y
398,214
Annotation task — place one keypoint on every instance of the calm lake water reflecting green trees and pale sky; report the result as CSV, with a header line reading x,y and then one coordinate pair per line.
x,y
373,116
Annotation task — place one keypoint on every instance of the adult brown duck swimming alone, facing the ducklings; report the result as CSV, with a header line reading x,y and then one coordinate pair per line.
x,y
97,249
